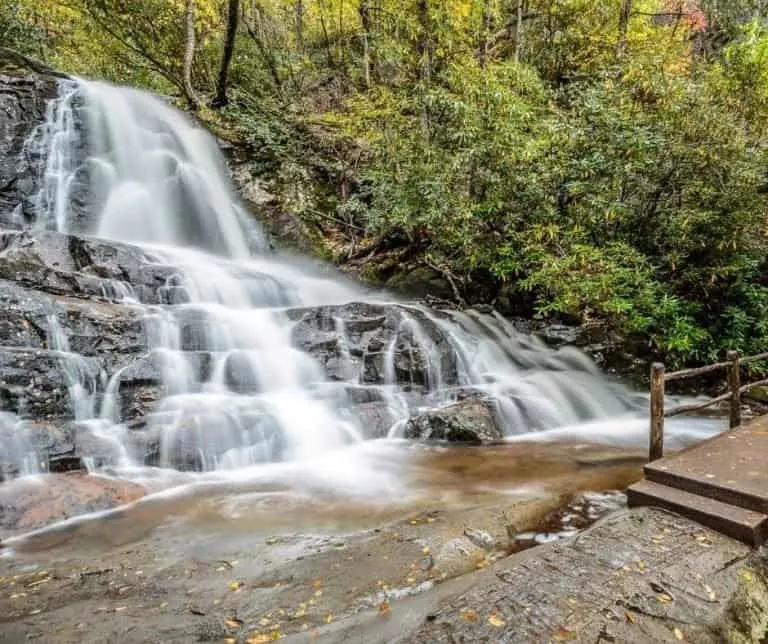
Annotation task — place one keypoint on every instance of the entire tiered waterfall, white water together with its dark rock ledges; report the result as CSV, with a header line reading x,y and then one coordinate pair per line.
x,y
148,328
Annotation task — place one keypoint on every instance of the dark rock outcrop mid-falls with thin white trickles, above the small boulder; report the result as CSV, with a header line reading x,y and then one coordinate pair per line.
x,y
376,344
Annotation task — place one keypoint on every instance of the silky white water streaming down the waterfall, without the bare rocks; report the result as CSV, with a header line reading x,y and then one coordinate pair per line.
x,y
158,181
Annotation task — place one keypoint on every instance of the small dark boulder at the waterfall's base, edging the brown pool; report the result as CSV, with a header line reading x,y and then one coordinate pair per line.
x,y
467,421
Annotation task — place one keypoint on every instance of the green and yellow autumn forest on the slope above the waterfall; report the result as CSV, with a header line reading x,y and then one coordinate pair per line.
x,y
603,160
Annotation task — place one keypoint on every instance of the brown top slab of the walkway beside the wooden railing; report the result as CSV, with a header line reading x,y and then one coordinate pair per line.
x,y
730,467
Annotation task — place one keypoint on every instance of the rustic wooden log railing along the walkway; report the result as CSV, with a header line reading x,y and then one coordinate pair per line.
x,y
732,365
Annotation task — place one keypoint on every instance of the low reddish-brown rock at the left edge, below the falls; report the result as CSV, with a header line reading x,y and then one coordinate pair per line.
x,y
29,504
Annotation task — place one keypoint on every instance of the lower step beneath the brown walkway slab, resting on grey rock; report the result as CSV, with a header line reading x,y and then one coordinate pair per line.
x,y
742,524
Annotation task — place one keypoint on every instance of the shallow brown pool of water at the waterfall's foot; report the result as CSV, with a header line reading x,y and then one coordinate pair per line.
x,y
449,479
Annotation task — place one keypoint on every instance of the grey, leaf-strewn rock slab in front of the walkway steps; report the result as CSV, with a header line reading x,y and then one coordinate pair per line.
x,y
640,575
